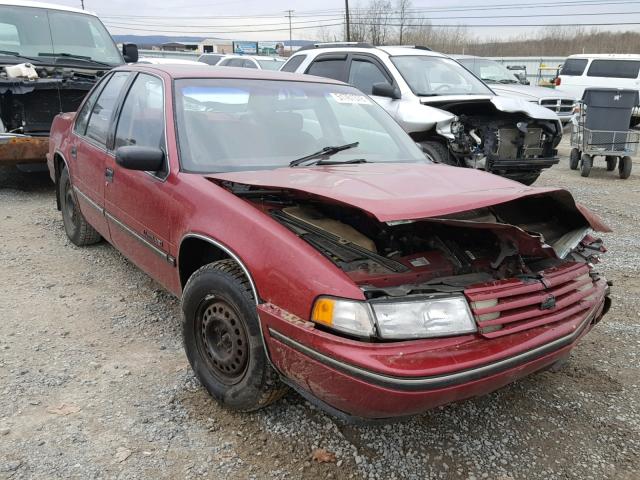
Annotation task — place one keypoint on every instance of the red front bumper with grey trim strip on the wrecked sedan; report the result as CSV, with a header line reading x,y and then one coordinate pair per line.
x,y
384,380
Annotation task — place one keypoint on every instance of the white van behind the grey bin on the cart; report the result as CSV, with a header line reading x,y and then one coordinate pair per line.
x,y
606,70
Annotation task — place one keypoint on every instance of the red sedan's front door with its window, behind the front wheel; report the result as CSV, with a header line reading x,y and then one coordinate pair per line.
x,y
137,203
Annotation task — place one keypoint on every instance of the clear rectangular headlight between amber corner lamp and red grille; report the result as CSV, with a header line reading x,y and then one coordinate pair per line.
x,y
434,317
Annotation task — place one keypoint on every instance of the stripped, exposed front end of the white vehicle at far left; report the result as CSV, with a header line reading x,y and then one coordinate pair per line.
x,y
30,97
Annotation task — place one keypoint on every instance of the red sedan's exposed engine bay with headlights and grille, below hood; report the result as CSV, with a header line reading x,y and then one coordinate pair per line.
x,y
493,270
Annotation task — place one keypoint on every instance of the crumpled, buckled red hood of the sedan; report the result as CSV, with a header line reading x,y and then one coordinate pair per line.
x,y
402,191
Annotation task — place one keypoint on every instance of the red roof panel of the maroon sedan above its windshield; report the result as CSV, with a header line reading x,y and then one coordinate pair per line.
x,y
206,71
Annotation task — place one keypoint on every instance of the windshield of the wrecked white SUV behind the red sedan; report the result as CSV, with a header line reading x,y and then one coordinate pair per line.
x,y
430,76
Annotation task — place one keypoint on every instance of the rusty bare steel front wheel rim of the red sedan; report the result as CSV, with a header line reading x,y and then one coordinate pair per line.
x,y
223,340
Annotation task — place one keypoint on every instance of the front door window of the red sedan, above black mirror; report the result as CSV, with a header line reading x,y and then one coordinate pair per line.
x,y
142,117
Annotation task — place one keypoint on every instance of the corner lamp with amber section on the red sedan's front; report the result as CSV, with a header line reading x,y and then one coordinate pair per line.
x,y
349,316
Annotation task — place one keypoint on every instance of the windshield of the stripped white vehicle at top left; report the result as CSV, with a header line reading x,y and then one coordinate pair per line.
x,y
44,35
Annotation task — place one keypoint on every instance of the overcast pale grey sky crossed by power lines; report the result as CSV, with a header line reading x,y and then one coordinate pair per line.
x,y
220,18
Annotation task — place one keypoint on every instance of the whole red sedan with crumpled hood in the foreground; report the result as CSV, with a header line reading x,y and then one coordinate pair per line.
x,y
315,247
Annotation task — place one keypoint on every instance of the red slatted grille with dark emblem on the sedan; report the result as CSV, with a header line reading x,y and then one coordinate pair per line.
x,y
513,305
